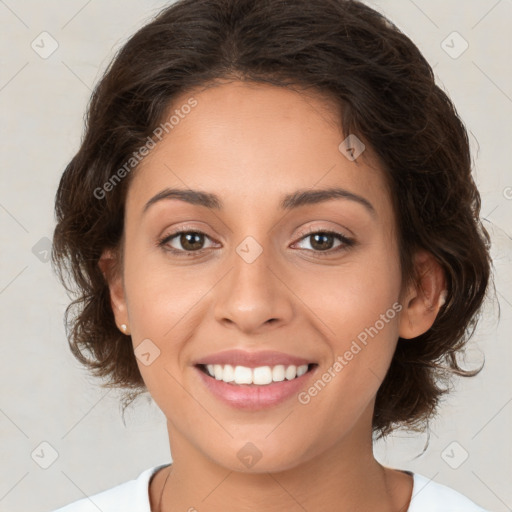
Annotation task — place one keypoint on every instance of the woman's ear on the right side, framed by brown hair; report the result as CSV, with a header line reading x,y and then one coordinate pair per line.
x,y
423,298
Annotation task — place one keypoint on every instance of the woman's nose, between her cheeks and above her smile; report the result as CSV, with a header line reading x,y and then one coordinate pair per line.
x,y
253,296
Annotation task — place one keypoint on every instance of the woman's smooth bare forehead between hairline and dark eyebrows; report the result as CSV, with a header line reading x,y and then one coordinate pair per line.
x,y
253,143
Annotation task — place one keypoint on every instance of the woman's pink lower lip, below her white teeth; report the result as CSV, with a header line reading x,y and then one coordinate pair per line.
x,y
253,397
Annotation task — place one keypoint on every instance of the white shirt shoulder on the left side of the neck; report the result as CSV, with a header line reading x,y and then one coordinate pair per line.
x,y
130,496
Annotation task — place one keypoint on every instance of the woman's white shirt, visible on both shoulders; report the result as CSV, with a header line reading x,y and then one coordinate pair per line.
x,y
133,496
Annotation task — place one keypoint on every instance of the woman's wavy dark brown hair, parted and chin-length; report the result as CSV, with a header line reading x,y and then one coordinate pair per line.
x,y
388,98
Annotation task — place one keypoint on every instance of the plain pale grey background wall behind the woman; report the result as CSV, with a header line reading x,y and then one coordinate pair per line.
x,y
47,397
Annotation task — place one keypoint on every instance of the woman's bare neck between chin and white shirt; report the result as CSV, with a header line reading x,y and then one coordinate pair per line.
x,y
345,478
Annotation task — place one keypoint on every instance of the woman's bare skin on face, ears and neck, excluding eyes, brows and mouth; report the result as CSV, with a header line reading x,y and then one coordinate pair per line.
x,y
251,144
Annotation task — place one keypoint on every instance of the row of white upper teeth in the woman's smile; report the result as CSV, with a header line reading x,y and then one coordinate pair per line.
x,y
261,376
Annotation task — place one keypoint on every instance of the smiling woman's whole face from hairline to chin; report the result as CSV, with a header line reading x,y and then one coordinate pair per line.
x,y
255,279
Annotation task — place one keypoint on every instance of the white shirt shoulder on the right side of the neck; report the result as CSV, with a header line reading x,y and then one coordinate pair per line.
x,y
430,496
